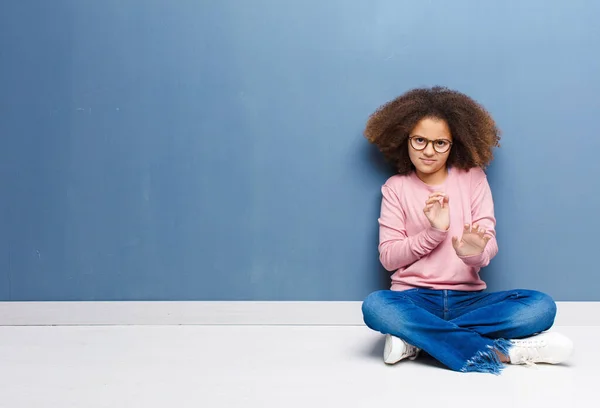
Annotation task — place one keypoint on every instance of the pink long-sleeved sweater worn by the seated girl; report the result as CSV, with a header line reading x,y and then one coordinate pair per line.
x,y
422,256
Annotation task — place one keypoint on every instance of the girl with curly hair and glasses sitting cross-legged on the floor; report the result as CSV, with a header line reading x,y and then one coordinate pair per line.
x,y
437,230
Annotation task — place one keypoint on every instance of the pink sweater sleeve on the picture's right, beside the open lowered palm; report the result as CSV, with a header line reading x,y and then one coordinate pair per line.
x,y
482,213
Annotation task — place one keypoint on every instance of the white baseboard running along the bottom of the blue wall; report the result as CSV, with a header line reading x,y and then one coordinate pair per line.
x,y
224,313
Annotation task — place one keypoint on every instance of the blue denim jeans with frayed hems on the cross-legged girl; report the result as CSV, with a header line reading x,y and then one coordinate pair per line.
x,y
460,329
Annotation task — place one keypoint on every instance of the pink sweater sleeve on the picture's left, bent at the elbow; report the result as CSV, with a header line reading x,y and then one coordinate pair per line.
x,y
396,249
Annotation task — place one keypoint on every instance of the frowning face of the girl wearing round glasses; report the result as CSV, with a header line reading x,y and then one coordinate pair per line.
x,y
429,146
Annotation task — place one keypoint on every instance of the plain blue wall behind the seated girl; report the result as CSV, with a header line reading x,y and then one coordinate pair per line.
x,y
212,150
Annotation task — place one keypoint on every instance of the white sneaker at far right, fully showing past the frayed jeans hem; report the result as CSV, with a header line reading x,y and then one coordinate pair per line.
x,y
548,347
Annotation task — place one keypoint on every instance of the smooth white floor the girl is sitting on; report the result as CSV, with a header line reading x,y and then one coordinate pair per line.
x,y
265,366
